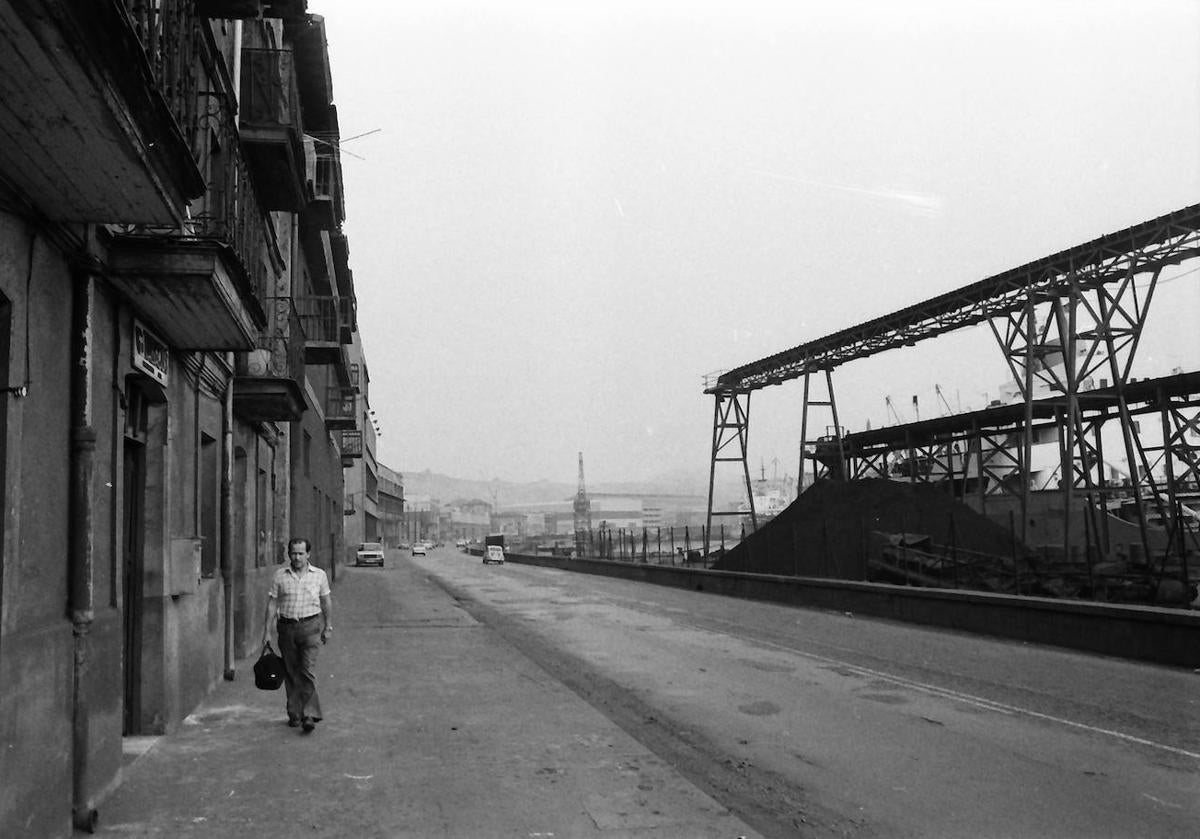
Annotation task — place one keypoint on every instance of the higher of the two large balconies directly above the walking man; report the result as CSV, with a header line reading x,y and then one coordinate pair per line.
x,y
272,128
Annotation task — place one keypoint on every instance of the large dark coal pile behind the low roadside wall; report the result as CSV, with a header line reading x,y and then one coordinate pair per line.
x,y
832,530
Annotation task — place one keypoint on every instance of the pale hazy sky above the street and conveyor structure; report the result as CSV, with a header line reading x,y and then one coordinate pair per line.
x,y
572,212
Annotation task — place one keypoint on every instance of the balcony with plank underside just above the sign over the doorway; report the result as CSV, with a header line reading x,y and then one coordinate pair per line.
x,y
203,284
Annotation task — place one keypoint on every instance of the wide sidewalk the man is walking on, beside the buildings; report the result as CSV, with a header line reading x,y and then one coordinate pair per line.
x,y
434,728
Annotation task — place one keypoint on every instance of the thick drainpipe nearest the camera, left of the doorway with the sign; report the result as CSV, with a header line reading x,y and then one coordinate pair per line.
x,y
81,549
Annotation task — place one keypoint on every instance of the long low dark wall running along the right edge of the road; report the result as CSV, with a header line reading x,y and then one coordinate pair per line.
x,y
1142,633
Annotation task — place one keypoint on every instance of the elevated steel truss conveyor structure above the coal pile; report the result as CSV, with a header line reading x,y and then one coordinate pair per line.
x,y
1060,322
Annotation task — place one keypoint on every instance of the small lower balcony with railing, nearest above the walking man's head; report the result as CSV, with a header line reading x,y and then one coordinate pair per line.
x,y
268,383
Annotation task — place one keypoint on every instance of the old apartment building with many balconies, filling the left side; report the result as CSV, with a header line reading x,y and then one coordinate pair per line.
x,y
176,310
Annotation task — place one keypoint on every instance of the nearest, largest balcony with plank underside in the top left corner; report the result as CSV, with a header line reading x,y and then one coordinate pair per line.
x,y
94,124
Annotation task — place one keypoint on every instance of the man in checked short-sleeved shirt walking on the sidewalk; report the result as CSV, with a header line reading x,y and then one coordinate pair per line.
x,y
301,606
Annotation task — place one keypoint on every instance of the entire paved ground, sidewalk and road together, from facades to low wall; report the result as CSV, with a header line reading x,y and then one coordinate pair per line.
x,y
517,702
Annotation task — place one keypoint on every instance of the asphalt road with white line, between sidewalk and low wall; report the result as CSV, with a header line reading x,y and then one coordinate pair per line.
x,y
809,723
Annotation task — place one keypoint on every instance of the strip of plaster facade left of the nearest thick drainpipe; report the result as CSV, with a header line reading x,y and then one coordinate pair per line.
x,y
37,646
